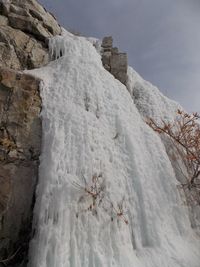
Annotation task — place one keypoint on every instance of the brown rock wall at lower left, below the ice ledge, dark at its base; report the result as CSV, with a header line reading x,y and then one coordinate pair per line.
x,y
20,141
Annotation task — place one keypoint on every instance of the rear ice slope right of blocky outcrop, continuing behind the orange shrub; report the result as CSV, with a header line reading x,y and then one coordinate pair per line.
x,y
152,104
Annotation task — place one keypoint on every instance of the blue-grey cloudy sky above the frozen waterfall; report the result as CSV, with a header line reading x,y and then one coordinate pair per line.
x,y
161,37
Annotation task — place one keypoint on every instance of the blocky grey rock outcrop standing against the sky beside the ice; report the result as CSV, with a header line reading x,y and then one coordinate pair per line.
x,y
114,61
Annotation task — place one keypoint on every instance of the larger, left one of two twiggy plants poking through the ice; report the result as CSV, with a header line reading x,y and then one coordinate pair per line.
x,y
93,193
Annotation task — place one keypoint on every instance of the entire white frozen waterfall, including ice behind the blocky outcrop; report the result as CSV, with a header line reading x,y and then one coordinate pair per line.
x,y
92,127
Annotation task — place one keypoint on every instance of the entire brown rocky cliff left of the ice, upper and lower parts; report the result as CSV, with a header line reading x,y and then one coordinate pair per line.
x,y
25,27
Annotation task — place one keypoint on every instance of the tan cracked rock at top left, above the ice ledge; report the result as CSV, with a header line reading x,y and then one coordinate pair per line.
x,y
25,27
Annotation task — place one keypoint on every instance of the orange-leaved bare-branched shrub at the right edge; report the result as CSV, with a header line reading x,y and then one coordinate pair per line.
x,y
185,135
